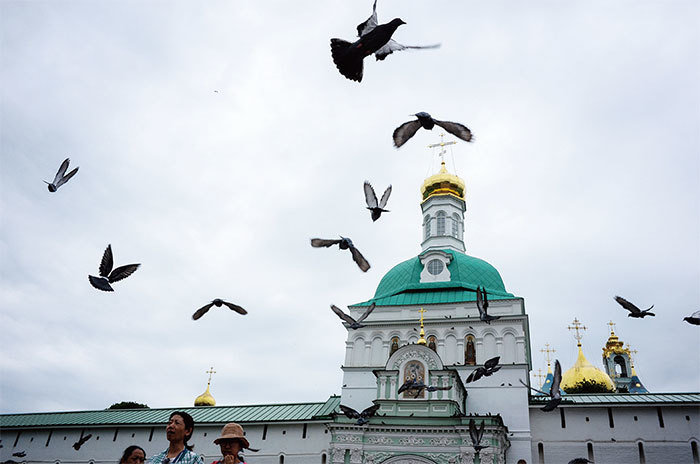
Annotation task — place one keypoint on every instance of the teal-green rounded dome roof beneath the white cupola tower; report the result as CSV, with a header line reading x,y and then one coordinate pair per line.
x,y
402,286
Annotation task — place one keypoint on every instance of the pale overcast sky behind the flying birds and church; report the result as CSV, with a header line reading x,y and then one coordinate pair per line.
x,y
215,138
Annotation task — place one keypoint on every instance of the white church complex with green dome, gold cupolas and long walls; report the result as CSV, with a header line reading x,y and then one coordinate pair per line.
x,y
625,425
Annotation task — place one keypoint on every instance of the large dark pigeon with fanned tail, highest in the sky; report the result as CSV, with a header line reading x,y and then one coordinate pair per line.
x,y
373,38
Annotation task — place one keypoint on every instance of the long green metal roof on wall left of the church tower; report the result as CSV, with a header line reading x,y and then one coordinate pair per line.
x,y
201,415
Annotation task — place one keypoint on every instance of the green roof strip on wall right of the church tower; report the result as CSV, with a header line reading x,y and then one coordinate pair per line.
x,y
622,398
